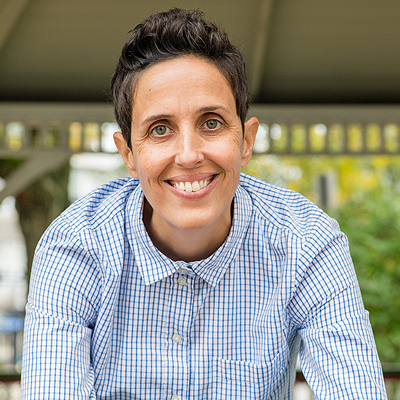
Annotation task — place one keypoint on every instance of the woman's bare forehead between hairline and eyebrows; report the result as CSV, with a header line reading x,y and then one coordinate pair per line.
x,y
184,83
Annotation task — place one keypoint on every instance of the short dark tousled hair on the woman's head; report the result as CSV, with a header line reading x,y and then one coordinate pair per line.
x,y
171,34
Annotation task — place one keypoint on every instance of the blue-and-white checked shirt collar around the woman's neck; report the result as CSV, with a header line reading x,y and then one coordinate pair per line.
x,y
154,265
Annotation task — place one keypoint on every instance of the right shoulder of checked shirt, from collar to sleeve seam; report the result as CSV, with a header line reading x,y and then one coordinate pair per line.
x,y
285,209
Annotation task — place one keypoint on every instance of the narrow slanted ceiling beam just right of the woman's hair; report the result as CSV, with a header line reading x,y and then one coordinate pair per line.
x,y
260,47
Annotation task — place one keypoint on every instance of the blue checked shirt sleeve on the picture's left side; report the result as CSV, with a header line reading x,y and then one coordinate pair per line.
x,y
60,315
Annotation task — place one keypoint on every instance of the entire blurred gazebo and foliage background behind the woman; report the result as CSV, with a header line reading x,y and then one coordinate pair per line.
x,y
325,81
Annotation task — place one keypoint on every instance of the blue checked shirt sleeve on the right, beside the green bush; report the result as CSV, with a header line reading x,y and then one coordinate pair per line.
x,y
338,354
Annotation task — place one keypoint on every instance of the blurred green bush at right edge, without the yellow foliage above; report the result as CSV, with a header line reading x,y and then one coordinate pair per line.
x,y
372,223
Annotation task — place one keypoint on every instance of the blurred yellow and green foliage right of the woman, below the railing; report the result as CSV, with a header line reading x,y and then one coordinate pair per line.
x,y
368,193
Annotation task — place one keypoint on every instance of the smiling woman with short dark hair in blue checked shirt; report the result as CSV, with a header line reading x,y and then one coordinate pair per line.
x,y
192,280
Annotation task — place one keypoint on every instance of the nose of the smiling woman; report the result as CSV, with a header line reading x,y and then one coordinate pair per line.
x,y
189,149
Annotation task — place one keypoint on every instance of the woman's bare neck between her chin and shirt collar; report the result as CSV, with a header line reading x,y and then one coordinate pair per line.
x,y
186,244
